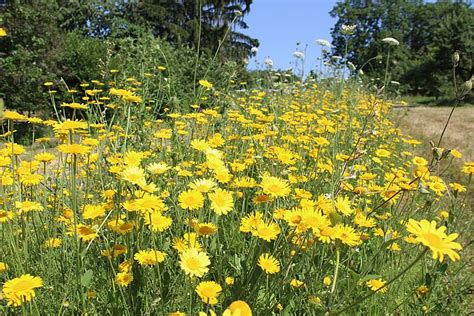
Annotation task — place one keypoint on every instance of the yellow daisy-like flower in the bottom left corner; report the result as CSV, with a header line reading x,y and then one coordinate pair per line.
x,y
21,289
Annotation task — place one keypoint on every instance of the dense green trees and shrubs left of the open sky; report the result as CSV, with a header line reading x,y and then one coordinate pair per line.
x,y
83,39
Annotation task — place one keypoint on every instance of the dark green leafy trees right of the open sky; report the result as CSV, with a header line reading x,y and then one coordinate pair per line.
x,y
428,34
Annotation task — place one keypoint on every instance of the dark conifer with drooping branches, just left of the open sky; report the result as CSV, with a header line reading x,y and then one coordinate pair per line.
x,y
202,24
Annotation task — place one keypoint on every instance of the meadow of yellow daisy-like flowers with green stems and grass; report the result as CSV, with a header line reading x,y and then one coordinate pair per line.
x,y
299,196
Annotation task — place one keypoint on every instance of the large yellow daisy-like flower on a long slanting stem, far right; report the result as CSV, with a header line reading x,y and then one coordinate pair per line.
x,y
435,238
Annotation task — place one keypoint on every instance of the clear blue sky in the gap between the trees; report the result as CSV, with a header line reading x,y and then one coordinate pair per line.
x,y
305,21
